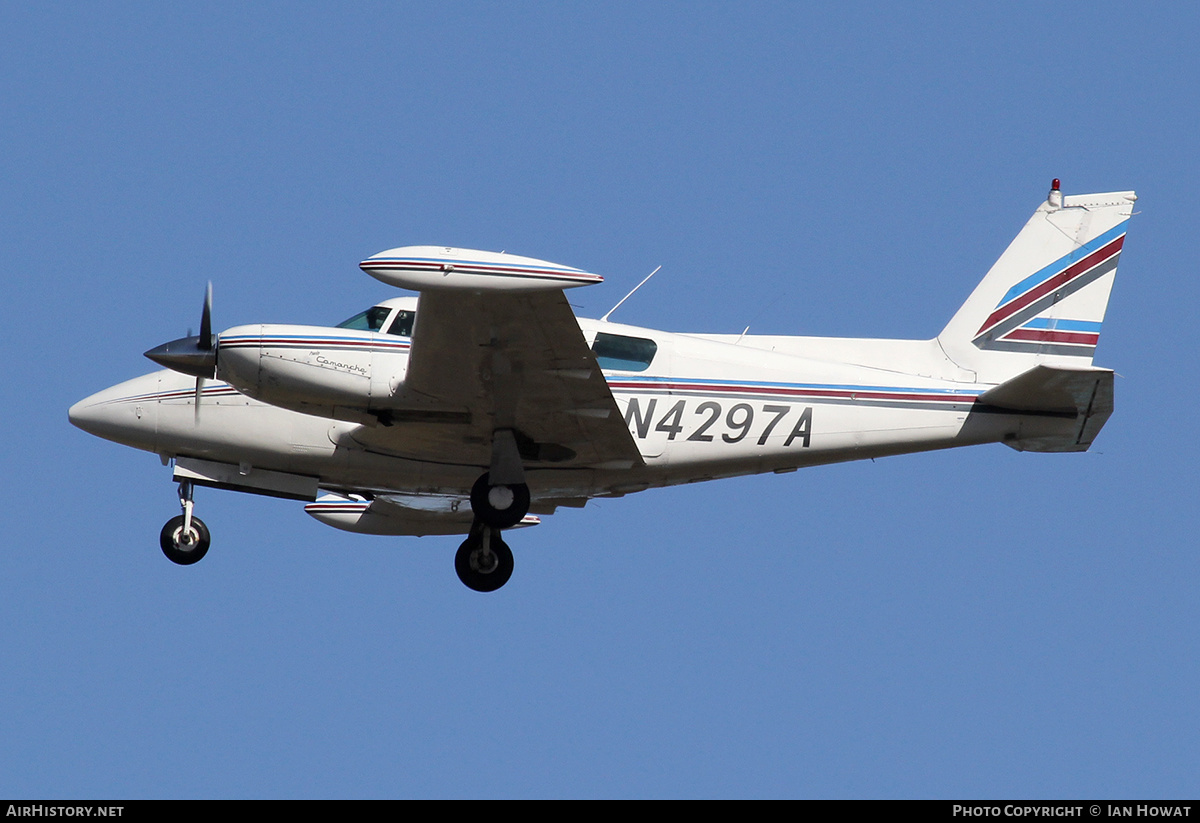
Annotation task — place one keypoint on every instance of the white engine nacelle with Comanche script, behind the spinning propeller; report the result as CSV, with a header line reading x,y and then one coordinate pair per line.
x,y
314,369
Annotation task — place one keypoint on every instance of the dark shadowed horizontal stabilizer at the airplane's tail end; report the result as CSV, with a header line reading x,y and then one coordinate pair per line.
x,y
1084,394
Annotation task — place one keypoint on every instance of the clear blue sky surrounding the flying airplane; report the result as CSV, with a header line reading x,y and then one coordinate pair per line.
x,y
975,623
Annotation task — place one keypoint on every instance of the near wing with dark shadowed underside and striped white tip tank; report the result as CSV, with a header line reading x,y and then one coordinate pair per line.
x,y
511,357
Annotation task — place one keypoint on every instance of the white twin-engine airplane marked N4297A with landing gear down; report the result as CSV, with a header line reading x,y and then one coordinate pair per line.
x,y
485,403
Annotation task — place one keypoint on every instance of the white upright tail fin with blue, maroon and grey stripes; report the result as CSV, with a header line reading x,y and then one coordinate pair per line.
x,y
1045,299
